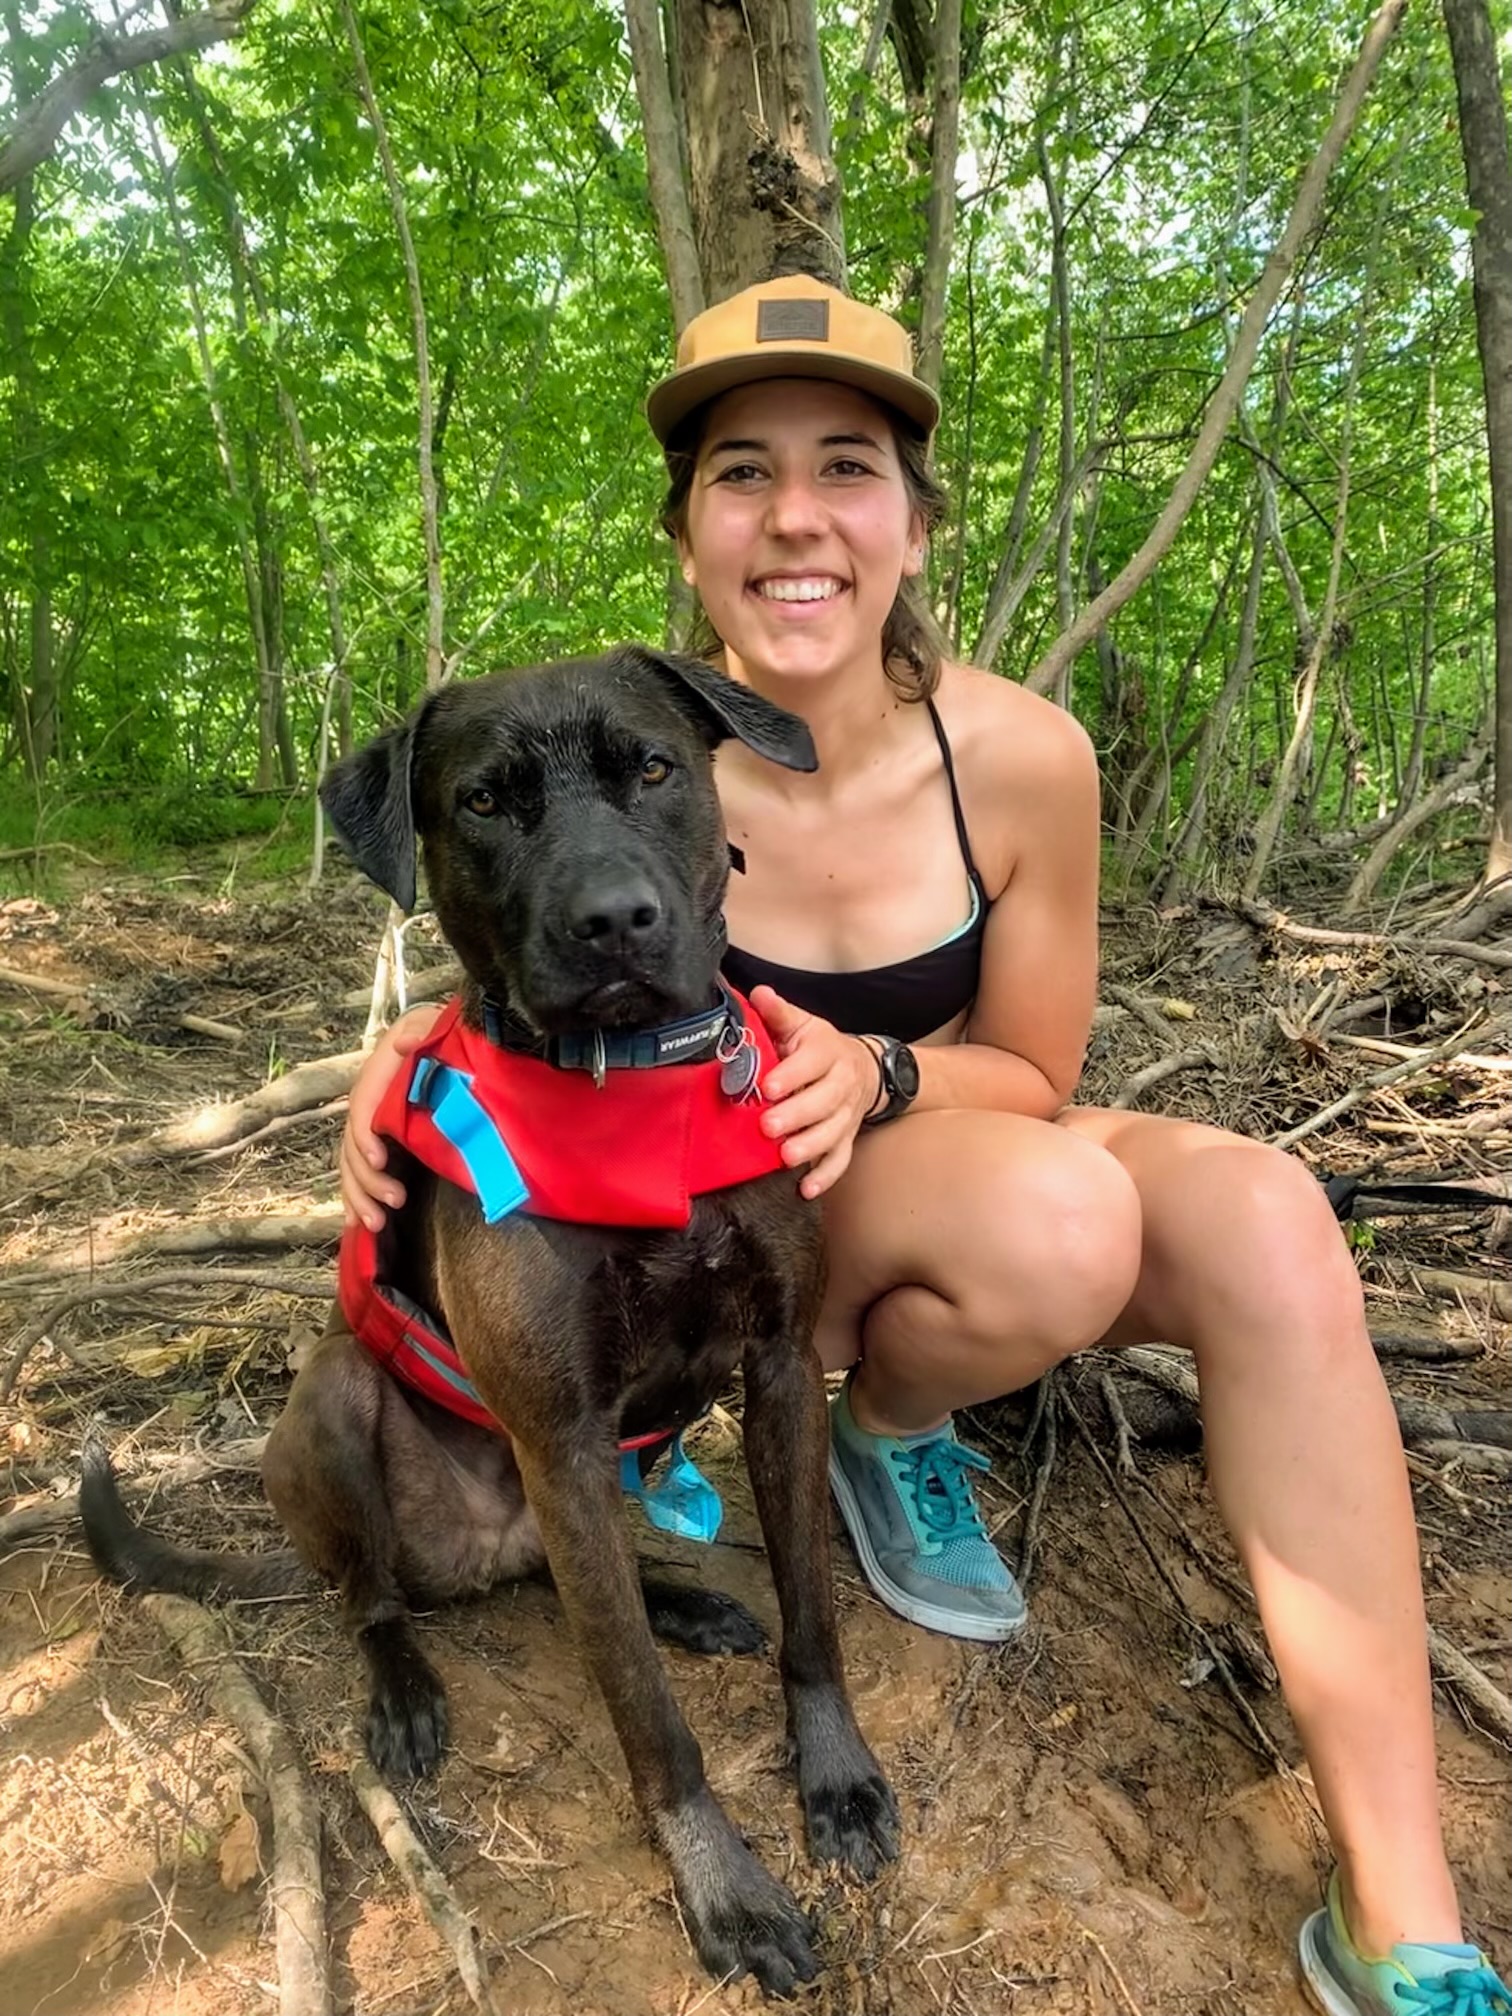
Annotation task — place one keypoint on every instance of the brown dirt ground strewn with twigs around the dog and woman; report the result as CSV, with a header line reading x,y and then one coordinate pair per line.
x,y
1092,1821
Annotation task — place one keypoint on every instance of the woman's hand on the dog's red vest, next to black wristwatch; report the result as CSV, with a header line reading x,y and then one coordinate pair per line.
x,y
820,1092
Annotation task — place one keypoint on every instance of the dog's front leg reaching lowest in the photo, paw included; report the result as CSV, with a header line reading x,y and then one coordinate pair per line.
x,y
739,1916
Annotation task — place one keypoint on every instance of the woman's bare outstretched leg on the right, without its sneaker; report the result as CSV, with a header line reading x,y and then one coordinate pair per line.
x,y
1245,1265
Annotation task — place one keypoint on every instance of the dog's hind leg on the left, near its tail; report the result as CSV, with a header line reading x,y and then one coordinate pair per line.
x,y
324,1473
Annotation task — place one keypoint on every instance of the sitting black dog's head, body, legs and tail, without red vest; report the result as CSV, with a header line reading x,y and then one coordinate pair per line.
x,y
578,864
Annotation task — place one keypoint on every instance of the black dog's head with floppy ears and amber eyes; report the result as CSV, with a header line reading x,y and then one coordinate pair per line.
x,y
574,840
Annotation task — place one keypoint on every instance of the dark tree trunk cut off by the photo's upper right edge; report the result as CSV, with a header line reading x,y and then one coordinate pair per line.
x,y
1489,182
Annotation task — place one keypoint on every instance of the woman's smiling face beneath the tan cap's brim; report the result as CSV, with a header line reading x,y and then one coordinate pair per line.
x,y
799,527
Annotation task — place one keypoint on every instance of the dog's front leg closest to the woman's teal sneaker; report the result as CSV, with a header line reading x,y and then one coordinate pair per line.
x,y
850,1809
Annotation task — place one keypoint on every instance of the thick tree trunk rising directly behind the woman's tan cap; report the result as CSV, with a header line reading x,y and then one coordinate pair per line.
x,y
763,184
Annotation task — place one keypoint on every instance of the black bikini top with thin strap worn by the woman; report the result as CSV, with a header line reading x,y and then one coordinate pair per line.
x,y
908,999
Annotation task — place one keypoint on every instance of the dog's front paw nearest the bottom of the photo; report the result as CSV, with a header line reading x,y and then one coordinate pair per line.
x,y
739,1916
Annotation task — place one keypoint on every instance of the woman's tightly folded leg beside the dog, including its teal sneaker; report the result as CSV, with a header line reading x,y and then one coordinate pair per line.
x,y
969,1251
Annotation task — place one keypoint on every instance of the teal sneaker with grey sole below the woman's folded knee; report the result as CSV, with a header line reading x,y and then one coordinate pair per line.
x,y
912,1519
